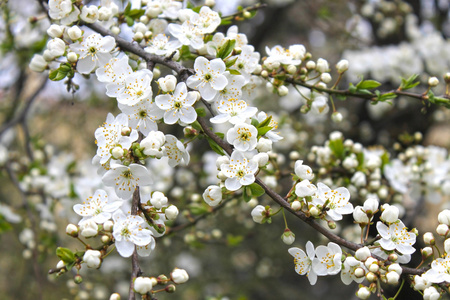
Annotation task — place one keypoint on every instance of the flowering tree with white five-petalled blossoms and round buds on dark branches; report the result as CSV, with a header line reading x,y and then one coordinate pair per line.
x,y
186,90
